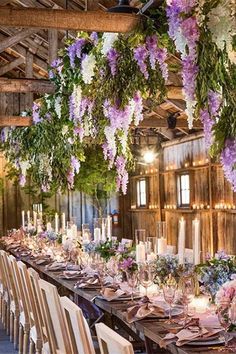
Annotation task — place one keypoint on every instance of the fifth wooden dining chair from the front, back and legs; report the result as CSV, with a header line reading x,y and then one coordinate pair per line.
x,y
36,336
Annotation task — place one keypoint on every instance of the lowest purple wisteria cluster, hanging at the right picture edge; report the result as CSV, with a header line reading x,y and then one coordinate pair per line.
x,y
228,160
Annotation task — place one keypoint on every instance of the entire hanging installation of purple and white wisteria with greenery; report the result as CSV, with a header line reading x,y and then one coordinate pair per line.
x,y
102,80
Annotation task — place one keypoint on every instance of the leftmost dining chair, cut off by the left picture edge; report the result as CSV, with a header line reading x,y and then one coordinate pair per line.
x,y
4,291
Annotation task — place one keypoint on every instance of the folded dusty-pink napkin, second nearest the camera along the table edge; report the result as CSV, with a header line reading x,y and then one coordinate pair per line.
x,y
143,309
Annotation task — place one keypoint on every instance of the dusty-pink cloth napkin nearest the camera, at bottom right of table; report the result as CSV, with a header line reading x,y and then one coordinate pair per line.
x,y
187,335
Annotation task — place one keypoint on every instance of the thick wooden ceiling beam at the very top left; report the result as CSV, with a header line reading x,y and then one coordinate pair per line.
x,y
68,19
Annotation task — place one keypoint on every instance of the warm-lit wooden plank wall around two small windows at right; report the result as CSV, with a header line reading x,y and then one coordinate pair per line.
x,y
208,189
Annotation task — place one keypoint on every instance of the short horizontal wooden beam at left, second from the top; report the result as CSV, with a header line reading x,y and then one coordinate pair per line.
x,y
26,85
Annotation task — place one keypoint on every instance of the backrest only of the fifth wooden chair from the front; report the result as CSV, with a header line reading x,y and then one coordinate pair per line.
x,y
29,297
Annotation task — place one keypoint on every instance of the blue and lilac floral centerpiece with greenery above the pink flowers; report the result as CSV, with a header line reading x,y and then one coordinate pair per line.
x,y
215,272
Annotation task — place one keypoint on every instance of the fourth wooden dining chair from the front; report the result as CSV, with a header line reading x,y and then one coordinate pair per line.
x,y
37,294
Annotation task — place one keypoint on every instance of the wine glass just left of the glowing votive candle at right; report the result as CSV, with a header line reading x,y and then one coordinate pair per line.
x,y
187,287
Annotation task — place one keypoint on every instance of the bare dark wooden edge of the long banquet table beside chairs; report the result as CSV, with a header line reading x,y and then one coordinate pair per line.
x,y
150,331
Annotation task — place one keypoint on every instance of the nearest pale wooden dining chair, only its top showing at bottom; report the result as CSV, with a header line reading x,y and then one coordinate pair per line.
x,y
111,342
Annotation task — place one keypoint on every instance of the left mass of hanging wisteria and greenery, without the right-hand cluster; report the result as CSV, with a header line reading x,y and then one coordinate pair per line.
x,y
80,136
